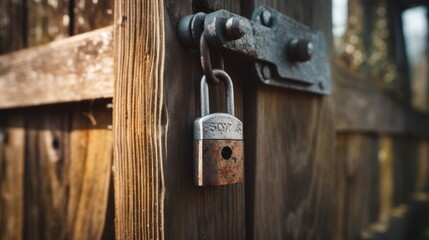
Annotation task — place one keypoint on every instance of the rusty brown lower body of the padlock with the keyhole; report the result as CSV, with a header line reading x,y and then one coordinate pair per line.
x,y
220,162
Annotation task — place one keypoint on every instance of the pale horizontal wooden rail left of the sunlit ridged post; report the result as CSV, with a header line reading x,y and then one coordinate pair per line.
x,y
74,69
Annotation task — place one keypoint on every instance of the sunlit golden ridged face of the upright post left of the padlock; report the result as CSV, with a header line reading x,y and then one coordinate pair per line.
x,y
139,146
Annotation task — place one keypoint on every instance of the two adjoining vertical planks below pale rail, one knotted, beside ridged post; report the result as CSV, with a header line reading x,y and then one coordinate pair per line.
x,y
68,156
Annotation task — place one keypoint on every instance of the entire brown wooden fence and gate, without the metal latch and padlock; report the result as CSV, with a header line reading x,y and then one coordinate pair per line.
x,y
348,166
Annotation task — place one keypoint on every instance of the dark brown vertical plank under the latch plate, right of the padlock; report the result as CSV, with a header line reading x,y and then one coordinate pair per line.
x,y
292,176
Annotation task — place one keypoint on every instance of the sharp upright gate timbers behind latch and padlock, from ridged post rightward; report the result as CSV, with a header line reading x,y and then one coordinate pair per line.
x,y
292,180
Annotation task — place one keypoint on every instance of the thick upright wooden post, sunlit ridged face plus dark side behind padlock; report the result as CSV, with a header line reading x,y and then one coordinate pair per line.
x,y
155,103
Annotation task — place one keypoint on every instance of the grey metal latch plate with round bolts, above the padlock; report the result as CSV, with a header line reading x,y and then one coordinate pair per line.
x,y
286,53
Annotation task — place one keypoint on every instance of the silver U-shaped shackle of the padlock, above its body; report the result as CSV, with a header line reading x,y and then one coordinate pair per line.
x,y
229,90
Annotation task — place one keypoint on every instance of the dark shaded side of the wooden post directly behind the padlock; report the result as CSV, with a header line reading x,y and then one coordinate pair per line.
x,y
212,212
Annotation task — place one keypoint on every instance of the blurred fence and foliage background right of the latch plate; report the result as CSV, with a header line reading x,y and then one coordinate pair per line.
x,y
381,48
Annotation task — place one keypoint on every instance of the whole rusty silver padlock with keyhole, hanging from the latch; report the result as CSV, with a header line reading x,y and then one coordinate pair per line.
x,y
218,140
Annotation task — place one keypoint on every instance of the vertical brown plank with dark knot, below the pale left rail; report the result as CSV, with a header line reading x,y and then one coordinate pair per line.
x,y
46,166
